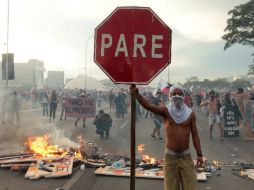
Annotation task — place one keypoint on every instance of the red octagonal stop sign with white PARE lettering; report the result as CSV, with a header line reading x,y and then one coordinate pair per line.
x,y
132,45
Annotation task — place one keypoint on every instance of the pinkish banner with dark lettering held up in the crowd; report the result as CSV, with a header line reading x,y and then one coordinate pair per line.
x,y
80,107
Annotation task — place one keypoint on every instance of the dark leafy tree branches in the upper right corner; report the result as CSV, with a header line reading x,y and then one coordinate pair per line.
x,y
240,26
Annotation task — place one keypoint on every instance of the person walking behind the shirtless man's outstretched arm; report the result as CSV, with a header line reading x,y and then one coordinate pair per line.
x,y
157,118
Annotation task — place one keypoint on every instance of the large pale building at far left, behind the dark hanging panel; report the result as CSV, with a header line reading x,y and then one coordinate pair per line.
x,y
27,74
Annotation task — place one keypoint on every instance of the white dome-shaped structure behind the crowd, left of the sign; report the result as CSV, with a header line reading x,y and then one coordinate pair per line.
x,y
82,82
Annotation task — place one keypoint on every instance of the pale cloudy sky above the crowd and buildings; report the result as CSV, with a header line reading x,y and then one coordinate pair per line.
x,y
57,32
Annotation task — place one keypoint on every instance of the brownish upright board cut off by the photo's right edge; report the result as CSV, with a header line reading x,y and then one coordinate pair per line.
x,y
248,131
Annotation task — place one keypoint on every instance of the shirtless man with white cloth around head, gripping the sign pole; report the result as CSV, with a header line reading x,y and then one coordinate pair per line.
x,y
179,122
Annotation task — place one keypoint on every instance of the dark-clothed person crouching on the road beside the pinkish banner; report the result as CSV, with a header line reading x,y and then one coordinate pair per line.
x,y
103,123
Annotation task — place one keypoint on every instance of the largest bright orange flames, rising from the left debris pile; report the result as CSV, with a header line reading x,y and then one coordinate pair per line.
x,y
40,145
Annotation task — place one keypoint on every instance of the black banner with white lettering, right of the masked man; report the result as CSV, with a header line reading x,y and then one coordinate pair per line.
x,y
231,119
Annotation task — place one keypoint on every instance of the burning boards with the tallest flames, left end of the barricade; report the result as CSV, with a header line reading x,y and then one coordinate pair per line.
x,y
43,159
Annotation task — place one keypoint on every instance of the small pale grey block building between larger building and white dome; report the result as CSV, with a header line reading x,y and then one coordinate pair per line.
x,y
55,79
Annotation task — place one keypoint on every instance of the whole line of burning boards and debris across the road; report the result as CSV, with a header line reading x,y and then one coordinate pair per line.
x,y
41,159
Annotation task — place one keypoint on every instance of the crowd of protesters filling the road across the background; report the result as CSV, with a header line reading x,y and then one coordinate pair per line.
x,y
211,103
